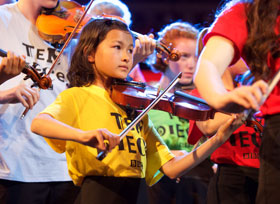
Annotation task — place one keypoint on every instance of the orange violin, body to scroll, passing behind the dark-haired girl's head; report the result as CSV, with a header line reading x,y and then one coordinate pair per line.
x,y
56,26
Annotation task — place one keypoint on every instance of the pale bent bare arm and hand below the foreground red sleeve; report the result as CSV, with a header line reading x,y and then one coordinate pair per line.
x,y
215,58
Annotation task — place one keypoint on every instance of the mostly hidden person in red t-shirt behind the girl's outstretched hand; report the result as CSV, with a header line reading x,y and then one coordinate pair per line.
x,y
236,178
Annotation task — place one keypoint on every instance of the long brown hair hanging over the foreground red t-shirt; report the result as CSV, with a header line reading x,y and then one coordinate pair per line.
x,y
262,40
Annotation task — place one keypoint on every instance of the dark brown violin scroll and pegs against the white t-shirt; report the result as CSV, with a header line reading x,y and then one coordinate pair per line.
x,y
39,79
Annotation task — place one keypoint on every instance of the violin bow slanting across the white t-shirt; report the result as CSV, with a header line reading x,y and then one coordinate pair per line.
x,y
63,48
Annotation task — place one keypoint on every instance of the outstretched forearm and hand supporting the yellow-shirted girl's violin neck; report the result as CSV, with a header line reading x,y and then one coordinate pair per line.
x,y
181,164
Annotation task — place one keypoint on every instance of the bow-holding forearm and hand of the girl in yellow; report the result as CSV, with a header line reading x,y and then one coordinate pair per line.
x,y
47,126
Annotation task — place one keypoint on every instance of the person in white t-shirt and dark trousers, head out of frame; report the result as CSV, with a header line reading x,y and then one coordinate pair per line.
x,y
27,173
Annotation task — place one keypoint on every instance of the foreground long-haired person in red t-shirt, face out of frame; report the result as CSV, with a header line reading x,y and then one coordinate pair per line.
x,y
249,30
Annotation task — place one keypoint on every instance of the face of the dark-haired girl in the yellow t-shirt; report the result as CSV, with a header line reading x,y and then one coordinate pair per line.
x,y
113,56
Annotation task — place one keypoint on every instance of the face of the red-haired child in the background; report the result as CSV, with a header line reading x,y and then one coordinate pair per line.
x,y
187,63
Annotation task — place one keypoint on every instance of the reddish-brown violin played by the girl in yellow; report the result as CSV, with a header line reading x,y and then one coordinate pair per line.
x,y
136,95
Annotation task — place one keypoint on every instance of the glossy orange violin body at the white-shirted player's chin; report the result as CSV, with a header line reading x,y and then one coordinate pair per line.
x,y
56,26
